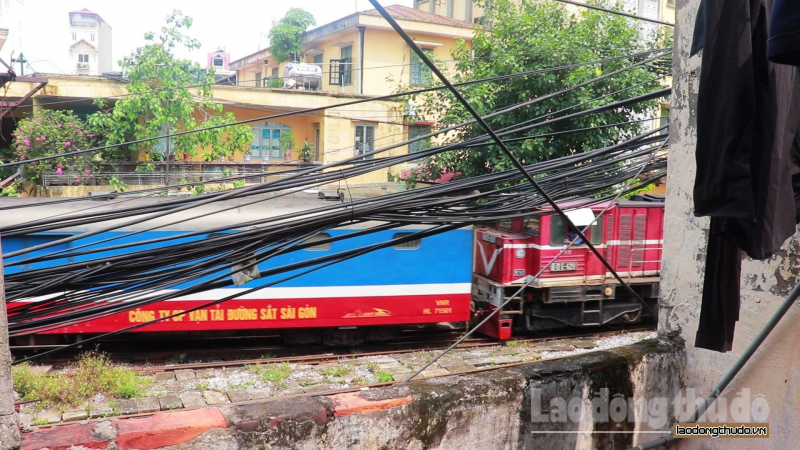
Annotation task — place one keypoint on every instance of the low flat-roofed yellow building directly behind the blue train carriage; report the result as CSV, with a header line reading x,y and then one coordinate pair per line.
x,y
333,132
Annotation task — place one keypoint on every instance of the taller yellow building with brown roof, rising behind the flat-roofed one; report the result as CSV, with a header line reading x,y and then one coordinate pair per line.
x,y
362,54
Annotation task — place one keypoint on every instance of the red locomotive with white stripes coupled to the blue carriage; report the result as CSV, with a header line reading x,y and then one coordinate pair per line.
x,y
576,290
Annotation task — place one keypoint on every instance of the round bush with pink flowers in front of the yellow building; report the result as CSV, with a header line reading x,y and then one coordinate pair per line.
x,y
52,133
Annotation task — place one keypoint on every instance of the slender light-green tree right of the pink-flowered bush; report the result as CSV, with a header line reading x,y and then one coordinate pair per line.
x,y
169,94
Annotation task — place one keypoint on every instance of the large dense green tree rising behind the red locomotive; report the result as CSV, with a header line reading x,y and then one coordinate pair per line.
x,y
535,35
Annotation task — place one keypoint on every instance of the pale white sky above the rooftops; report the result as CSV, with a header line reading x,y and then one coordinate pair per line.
x,y
237,25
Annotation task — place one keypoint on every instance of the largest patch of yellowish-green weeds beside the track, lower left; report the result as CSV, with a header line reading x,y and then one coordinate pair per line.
x,y
93,373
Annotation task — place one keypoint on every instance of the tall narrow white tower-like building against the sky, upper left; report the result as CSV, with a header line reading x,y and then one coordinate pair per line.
x,y
90,43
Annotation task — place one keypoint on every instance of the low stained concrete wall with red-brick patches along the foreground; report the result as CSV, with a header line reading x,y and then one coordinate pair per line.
x,y
511,408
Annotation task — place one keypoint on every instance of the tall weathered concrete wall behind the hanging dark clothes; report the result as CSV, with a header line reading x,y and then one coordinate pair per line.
x,y
774,371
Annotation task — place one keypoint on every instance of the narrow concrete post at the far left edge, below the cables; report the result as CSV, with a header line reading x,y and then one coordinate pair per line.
x,y
9,428
